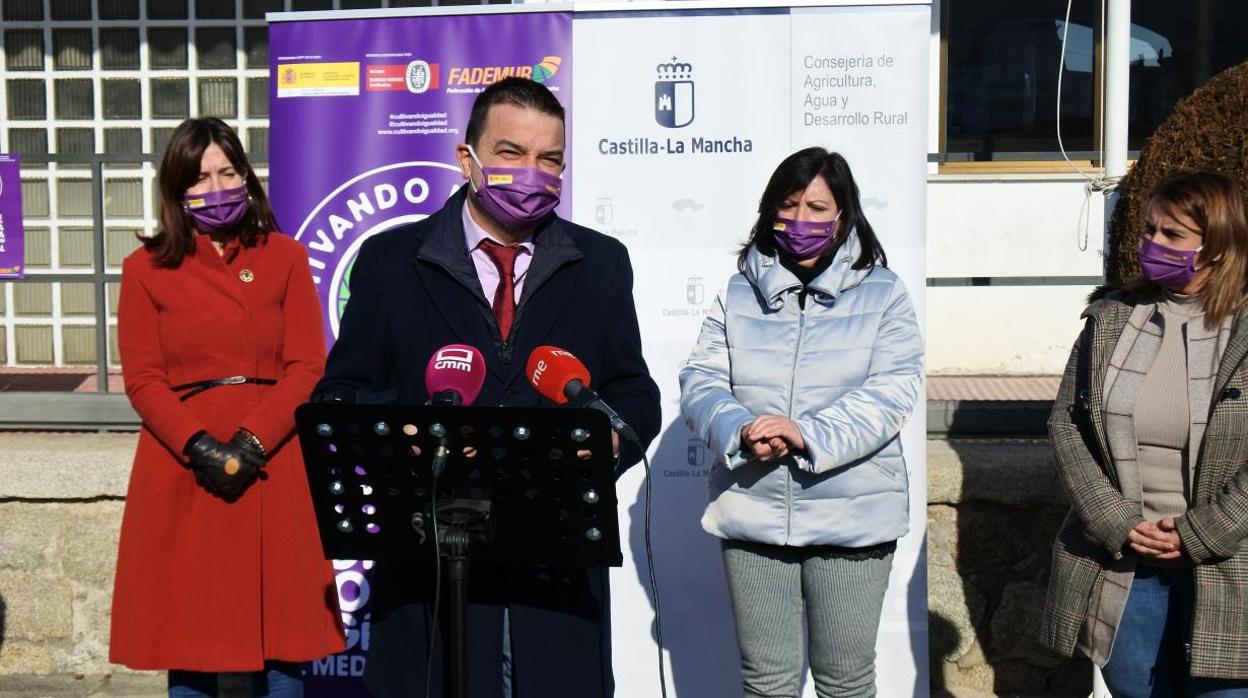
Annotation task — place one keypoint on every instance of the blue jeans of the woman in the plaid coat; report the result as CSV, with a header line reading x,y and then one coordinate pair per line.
x,y
1150,650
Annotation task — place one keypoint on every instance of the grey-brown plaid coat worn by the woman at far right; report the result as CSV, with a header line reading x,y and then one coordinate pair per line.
x,y
1094,536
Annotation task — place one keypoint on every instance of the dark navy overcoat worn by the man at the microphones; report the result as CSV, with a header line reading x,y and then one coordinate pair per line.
x,y
414,290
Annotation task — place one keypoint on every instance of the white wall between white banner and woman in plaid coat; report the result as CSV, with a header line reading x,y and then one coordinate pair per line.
x,y
1009,227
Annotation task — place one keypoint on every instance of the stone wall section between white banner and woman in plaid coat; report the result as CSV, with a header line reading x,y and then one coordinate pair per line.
x,y
994,508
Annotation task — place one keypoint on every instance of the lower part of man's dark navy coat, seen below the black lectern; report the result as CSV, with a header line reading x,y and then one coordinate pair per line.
x,y
558,627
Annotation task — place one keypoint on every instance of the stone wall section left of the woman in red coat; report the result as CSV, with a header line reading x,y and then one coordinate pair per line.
x,y
61,511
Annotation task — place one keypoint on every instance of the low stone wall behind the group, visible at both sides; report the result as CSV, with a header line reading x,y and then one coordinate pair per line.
x,y
994,508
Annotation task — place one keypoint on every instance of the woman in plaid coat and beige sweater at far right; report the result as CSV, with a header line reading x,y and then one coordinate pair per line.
x,y
1150,431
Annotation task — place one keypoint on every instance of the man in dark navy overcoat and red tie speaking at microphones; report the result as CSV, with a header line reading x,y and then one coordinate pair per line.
x,y
499,270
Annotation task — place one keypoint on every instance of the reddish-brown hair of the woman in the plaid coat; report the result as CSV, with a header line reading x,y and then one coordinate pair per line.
x,y
1216,205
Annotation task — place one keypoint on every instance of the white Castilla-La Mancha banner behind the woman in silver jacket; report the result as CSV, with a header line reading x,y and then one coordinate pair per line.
x,y
681,118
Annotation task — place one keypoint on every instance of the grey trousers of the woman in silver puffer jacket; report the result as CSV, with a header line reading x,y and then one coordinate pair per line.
x,y
774,589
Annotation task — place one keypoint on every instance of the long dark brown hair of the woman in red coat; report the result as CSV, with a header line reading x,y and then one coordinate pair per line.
x,y
180,170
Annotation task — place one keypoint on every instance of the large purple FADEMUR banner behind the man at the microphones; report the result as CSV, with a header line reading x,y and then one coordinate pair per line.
x,y
366,116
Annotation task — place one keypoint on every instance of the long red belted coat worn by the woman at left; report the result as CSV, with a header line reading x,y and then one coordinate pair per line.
x,y
204,585
